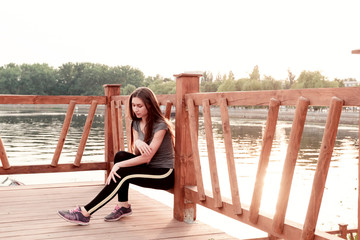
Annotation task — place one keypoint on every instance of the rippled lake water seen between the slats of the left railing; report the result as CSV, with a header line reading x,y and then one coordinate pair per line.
x,y
31,136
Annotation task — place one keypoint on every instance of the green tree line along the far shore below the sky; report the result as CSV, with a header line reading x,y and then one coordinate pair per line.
x,y
89,78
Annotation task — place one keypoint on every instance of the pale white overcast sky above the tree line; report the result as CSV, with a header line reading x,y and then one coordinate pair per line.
x,y
169,37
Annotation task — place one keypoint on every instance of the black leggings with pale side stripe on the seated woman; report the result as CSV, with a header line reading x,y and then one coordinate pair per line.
x,y
141,175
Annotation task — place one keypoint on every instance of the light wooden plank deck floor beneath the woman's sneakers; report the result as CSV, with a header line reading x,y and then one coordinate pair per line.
x,y
30,212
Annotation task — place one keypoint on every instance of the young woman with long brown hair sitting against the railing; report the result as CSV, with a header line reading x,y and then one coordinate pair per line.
x,y
151,165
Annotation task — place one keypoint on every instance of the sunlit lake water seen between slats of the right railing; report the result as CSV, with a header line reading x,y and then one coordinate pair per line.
x,y
247,140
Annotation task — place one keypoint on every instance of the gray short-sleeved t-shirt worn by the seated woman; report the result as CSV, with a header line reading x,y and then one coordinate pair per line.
x,y
164,157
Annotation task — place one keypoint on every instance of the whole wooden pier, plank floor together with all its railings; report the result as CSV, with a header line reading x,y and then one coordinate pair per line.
x,y
189,188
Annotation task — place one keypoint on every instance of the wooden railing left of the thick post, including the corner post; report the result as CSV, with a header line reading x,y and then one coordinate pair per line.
x,y
112,111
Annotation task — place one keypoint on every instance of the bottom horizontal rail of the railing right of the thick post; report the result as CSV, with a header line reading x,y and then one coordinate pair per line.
x,y
291,229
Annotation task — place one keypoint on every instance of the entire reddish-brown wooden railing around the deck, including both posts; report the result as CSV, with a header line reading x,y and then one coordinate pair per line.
x,y
189,188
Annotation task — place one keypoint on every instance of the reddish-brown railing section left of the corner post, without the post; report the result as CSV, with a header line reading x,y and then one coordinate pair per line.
x,y
54,166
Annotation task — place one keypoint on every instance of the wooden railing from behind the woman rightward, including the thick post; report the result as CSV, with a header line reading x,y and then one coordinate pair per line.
x,y
189,187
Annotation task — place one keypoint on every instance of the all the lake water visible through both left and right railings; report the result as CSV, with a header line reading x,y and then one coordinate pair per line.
x,y
30,134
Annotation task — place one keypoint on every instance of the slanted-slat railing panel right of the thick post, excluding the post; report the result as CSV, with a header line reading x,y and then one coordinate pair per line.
x,y
277,226
